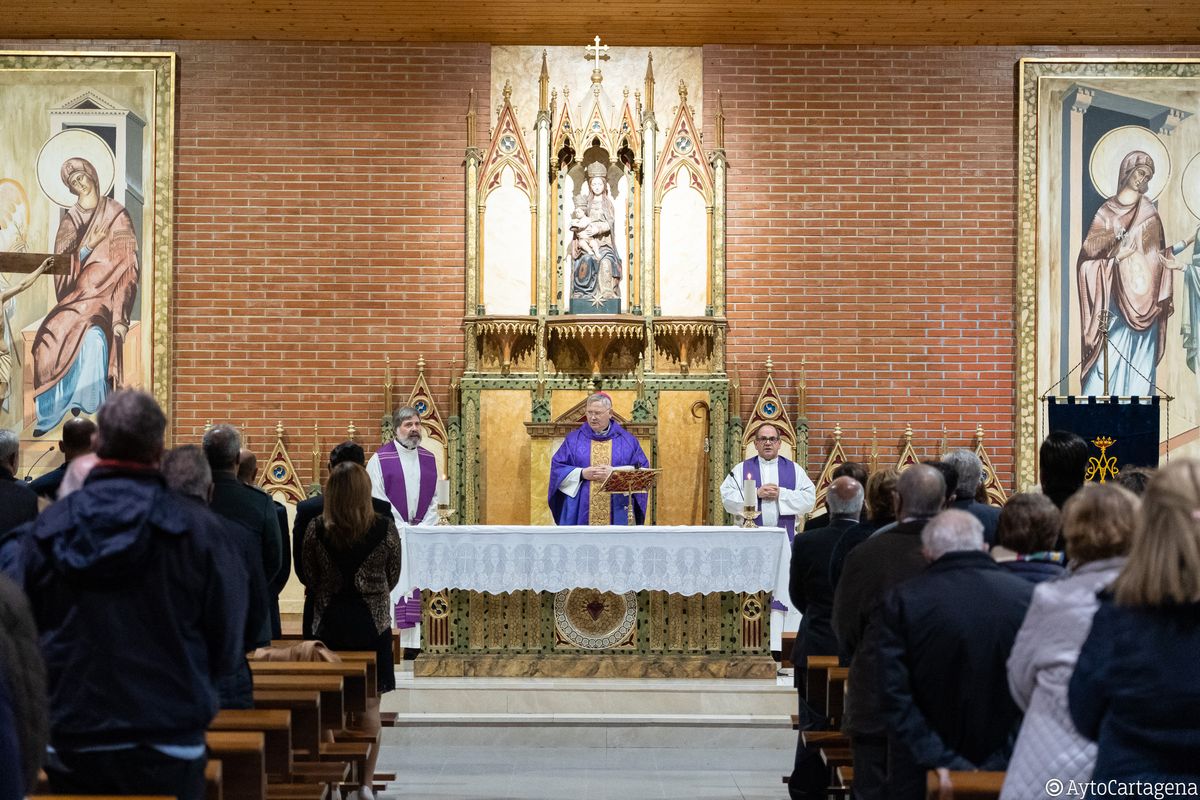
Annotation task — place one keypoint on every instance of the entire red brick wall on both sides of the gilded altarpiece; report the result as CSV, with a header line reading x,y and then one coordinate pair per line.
x,y
872,231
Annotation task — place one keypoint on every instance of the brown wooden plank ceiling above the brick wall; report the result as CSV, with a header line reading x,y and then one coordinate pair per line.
x,y
620,22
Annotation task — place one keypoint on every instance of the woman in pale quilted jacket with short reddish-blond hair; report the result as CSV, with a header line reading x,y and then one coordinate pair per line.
x,y
1097,524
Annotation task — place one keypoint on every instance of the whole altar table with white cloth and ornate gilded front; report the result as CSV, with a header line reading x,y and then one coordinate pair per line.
x,y
631,625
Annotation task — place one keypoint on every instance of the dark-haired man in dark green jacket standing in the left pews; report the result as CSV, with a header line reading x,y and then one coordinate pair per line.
x,y
249,507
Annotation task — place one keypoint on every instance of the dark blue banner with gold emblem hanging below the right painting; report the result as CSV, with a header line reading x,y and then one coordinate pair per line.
x,y
1120,432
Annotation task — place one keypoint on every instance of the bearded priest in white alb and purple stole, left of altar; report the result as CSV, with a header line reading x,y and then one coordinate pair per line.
x,y
406,476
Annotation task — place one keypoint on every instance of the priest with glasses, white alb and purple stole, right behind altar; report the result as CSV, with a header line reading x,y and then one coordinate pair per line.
x,y
784,491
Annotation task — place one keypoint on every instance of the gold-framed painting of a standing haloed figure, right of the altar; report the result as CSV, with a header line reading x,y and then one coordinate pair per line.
x,y
1109,209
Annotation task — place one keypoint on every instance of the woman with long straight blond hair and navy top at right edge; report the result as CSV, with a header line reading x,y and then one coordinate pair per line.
x,y
1135,691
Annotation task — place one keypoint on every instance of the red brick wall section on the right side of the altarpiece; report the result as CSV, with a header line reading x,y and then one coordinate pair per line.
x,y
873,232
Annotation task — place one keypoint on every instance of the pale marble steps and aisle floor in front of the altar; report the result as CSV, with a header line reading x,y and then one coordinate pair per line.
x,y
601,753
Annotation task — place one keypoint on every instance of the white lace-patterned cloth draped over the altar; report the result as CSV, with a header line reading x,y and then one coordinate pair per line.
x,y
683,561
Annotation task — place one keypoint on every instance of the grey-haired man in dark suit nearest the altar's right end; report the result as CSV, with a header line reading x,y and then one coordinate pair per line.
x,y
812,594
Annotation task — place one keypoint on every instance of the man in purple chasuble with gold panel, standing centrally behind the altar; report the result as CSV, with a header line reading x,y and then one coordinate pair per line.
x,y
584,464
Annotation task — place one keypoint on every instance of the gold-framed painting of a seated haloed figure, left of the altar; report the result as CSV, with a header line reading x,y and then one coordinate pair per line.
x,y
86,169
